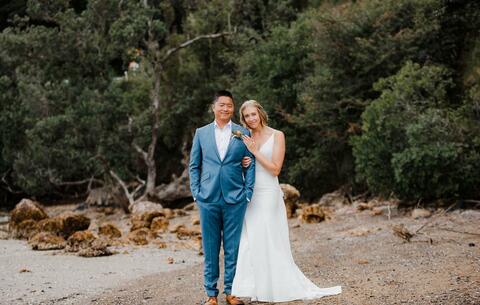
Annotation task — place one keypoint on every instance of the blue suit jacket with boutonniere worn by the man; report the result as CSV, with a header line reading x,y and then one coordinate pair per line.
x,y
212,179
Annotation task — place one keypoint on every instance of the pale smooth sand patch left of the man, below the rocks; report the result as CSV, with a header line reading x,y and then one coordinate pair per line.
x,y
39,277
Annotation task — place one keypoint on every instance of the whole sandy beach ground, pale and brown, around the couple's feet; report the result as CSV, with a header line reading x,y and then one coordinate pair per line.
x,y
441,265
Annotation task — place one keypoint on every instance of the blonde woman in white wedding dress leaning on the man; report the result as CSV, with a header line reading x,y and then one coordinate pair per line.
x,y
265,269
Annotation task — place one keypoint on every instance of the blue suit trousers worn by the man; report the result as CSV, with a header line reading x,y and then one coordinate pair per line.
x,y
220,220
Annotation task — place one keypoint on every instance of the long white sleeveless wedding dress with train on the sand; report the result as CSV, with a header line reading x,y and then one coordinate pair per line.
x,y
266,270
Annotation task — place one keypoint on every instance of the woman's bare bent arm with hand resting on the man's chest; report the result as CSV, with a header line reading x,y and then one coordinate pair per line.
x,y
278,155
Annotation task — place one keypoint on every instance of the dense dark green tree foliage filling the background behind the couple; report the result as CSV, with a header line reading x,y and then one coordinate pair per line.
x,y
377,95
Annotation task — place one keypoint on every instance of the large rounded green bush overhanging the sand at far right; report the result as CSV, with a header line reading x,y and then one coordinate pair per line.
x,y
414,143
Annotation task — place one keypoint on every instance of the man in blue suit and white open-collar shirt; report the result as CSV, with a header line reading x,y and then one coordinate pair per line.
x,y
221,187
